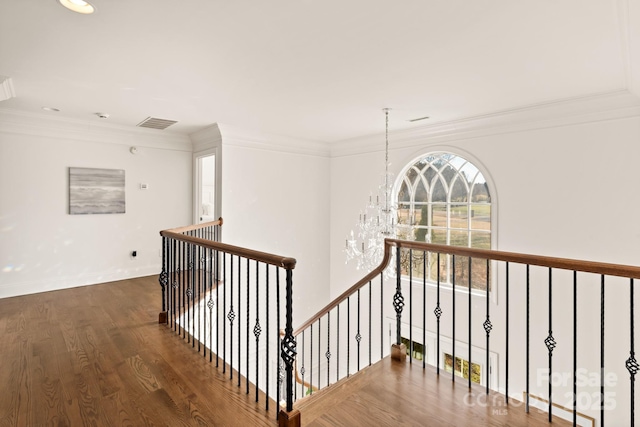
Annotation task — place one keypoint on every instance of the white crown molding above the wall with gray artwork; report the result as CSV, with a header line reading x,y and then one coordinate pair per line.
x,y
41,125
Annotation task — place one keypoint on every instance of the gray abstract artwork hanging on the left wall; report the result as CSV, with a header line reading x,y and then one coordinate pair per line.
x,y
96,191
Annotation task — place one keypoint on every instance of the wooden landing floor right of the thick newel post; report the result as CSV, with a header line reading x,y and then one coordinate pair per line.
x,y
399,394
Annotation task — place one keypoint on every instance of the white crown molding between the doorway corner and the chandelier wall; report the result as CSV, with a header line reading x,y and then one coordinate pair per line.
x,y
238,137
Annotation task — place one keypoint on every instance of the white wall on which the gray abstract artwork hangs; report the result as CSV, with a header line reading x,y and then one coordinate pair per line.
x,y
44,248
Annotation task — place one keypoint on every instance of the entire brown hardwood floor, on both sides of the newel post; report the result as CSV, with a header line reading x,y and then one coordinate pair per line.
x,y
96,356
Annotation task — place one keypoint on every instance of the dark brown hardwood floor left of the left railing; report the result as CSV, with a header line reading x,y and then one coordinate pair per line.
x,y
96,356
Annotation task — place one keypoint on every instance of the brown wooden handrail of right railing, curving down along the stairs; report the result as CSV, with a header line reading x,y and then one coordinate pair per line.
x,y
607,269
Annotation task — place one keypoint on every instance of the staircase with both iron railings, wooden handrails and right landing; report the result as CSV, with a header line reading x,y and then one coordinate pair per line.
x,y
533,329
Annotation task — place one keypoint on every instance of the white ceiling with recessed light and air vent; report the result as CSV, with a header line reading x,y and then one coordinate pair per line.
x,y
310,69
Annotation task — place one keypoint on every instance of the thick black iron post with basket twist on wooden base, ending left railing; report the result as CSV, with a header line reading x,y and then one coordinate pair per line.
x,y
289,417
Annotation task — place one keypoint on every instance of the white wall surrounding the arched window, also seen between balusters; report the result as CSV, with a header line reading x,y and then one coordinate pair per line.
x,y
563,189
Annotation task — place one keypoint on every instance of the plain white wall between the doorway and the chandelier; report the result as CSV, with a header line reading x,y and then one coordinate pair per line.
x,y
275,197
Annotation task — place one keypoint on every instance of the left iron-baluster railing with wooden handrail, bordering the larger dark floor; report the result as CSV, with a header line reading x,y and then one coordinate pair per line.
x,y
230,303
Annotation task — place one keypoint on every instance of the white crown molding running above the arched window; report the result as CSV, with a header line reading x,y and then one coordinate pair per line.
x,y
599,107
